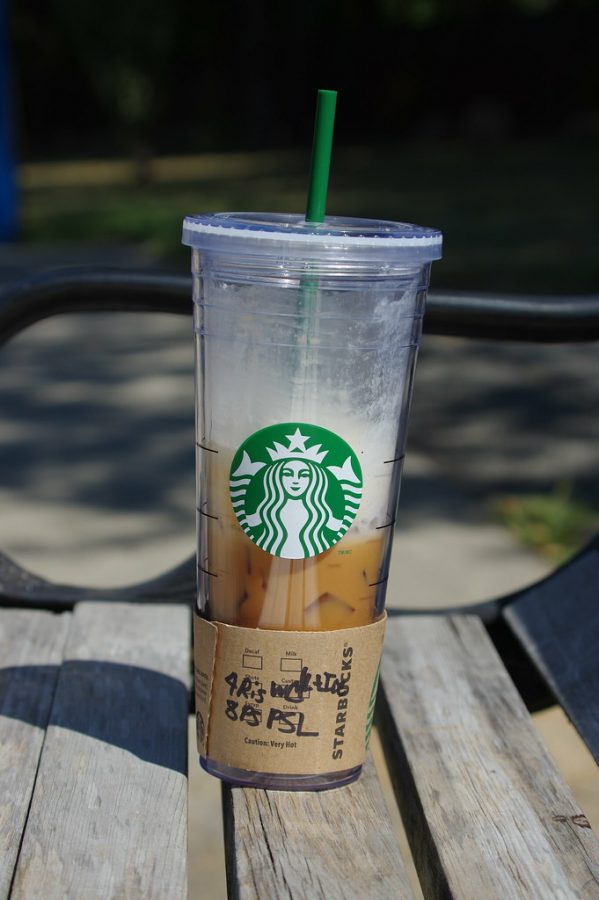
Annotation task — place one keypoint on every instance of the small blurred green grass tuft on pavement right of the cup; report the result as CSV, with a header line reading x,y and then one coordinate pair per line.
x,y
555,524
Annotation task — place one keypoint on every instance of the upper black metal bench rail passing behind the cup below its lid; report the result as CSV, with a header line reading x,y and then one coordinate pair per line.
x,y
542,319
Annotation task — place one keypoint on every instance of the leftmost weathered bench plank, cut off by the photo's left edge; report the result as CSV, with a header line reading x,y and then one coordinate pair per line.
x,y
31,645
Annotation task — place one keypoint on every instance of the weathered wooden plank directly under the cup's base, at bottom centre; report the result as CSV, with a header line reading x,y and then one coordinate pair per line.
x,y
330,845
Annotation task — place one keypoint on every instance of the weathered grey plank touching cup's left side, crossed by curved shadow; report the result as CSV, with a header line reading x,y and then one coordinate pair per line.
x,y
108,816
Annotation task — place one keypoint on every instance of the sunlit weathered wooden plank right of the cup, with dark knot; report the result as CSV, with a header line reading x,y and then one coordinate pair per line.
x,y
485,810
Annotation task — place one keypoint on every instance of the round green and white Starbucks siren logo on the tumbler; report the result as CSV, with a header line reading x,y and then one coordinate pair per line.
x,y
295,489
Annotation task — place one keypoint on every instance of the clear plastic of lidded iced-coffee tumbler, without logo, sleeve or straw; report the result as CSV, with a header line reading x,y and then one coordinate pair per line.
x,y
297,323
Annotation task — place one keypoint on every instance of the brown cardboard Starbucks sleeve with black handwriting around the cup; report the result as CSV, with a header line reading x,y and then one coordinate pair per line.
x,y
285,702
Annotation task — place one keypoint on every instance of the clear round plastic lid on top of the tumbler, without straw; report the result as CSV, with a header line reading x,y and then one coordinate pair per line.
x,y
274,233
